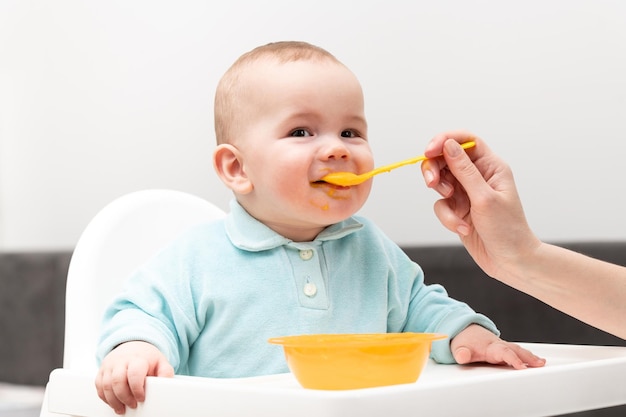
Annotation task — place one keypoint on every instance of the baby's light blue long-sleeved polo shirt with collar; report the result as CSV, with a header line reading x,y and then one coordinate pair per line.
x,y
211,299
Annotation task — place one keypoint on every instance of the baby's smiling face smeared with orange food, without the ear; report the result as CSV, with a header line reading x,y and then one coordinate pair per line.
x,y
303,120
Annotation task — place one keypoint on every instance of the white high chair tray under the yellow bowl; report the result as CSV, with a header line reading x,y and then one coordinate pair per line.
x,y
575,378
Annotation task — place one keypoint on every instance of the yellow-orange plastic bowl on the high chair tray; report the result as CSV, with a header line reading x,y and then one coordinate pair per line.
x,y
351,361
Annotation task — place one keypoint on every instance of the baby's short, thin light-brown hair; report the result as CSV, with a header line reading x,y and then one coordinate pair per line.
x,y
229,90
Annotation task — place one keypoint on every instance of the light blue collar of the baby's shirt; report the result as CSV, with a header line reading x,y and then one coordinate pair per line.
x,y
247,233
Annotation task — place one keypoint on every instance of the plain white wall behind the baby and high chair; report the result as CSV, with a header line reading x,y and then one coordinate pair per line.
x,y
99,98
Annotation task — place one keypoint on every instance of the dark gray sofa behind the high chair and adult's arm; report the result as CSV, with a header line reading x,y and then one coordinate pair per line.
x,y
32,293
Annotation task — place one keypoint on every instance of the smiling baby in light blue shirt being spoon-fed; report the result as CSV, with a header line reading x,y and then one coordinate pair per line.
x,y
290,258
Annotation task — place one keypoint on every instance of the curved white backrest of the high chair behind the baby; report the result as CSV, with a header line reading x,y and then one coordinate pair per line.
x,y
123,235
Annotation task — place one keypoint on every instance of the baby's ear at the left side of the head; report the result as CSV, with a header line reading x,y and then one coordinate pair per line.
x,y
228,163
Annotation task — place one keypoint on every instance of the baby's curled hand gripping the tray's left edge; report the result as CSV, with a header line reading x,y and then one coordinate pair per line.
x,y
121,379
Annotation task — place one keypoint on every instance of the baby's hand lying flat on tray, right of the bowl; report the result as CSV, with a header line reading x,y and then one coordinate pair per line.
x,y
477,344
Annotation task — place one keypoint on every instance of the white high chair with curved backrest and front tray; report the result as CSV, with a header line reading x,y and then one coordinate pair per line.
x,y
133,227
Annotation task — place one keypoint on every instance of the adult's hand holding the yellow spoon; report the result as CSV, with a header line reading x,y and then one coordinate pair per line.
x,y
480,201
